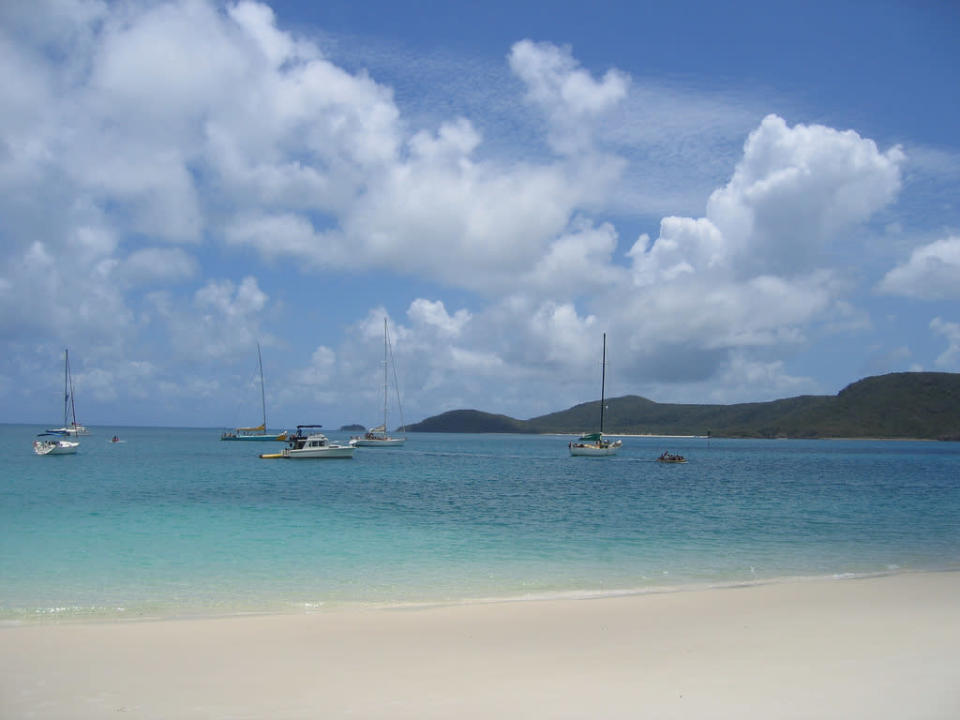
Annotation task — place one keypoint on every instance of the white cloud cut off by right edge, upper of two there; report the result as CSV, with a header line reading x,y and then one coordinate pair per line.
x,y
931,273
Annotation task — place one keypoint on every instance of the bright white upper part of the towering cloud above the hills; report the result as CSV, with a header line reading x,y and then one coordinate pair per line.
x,y
794,192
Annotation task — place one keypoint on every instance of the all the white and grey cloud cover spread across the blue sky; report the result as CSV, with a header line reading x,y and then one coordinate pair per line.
x,y
159,161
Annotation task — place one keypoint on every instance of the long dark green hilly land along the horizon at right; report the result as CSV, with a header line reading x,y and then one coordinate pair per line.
x,y
910,405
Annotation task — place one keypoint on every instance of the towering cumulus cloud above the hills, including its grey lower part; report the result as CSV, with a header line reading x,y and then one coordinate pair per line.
x,y
747,274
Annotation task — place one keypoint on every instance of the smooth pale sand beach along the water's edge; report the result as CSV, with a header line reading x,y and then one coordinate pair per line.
x,y
876,647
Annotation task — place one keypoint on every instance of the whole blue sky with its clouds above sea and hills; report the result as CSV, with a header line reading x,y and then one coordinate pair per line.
x,y
752,200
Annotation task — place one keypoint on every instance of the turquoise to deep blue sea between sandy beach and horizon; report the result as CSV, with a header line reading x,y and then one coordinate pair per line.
x,y
175,522
